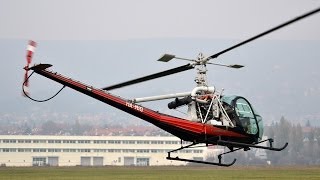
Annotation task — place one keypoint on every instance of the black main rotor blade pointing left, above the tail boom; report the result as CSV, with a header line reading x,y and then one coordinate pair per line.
x,y
149,77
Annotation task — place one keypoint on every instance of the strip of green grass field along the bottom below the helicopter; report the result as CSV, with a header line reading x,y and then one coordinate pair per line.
x,y
167,173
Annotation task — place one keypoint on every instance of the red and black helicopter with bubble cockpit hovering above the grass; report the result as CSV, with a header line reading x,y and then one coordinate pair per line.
x,y
212,117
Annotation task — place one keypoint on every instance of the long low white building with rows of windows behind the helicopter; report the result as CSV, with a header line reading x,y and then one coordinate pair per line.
x,y
31,150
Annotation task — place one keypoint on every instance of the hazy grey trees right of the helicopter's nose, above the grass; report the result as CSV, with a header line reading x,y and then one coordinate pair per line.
x,y
304,143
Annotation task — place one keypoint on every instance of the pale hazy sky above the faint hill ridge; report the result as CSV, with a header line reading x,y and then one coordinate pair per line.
x,y
128,19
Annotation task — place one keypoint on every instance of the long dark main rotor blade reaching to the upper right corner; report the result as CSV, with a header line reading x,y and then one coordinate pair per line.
x,y
265,33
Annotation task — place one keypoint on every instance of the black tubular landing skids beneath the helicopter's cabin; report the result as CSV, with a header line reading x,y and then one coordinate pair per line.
x,y
231,144
